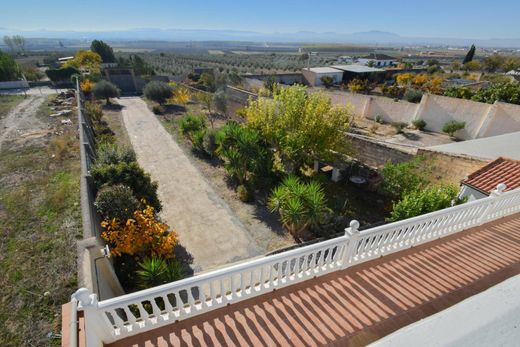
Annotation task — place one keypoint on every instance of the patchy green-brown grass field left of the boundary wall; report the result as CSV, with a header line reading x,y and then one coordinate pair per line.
x,y
39,225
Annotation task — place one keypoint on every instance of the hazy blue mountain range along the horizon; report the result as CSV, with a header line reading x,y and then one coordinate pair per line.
x,y
366,37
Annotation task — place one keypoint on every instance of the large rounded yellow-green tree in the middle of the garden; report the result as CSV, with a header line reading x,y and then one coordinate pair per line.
x,y
300,126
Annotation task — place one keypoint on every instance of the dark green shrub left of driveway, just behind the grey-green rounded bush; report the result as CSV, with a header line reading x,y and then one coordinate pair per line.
x,y
131,175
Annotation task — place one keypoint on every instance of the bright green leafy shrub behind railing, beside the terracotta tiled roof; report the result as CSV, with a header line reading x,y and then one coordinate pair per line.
x,y
425,200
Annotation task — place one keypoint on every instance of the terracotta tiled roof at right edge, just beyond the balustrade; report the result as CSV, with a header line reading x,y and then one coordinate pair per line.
x,y
501,170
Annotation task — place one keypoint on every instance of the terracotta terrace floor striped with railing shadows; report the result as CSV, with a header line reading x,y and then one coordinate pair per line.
x,y
361,304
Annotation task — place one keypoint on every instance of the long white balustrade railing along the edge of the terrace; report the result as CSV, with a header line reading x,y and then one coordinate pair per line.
x,y
110,320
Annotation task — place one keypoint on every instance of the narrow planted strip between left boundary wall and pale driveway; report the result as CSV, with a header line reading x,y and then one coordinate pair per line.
x,y
143,247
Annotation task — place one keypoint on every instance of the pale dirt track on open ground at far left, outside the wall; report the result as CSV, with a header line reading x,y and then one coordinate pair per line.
x,y
20,121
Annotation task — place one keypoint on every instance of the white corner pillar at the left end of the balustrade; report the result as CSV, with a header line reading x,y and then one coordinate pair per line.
x,y
95,327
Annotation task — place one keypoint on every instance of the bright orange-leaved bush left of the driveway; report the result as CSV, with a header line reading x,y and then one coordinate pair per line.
x,y
141,235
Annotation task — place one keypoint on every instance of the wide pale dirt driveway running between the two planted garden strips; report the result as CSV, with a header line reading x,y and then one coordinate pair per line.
x,y
207,227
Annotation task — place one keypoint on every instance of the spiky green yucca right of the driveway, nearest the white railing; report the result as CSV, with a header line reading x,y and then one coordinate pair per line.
x,y
299,204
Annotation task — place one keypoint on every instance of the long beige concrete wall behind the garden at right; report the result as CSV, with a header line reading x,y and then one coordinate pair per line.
x,y
482,120
